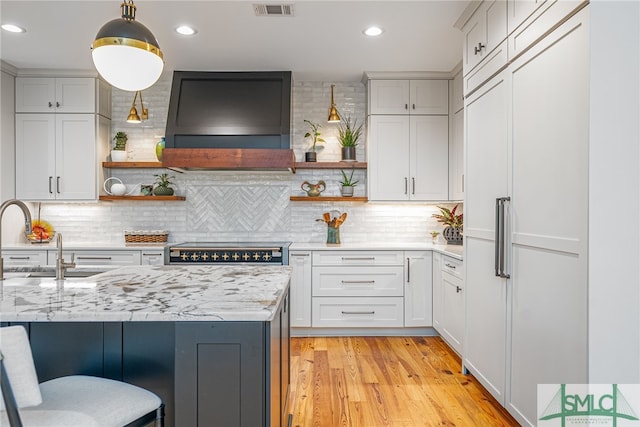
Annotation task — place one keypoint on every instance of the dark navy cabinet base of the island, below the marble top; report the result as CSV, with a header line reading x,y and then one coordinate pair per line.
x,y
232,374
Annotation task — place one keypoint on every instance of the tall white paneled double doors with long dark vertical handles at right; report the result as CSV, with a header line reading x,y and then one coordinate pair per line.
x,y
526,219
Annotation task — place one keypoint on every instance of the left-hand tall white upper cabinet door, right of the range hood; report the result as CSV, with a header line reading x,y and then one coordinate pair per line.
x,y
388,173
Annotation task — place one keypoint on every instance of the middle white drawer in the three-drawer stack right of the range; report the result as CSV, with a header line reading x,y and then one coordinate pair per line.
x,y
358,281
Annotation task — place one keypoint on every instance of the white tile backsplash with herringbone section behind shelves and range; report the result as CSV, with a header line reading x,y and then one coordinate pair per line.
x,y
237,206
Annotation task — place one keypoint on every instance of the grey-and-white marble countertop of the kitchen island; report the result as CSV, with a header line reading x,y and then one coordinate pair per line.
x,y
149,293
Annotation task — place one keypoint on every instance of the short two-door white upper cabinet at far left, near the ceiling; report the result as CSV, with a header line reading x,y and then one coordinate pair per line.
x,y
55,95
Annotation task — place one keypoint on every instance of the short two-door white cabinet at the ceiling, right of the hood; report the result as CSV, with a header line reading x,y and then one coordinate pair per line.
x,y
408,97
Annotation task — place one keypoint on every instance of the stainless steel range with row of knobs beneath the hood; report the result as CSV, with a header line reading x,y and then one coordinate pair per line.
x,y
228,253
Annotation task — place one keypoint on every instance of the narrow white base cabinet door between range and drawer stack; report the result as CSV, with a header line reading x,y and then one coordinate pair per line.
x,y
300,294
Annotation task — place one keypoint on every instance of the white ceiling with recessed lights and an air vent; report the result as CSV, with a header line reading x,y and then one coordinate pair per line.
x,y
322,41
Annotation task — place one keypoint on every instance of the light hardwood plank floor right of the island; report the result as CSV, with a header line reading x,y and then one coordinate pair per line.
x,y
385,381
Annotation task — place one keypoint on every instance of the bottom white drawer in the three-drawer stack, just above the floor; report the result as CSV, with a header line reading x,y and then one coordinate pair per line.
x,y
357,312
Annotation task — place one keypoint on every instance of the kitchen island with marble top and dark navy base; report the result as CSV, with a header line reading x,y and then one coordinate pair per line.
x,y
211,341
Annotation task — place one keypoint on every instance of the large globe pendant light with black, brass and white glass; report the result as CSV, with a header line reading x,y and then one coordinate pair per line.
x,y
125,53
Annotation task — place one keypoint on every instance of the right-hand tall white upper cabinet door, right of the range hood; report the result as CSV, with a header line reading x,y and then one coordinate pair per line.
x,y
429,158
